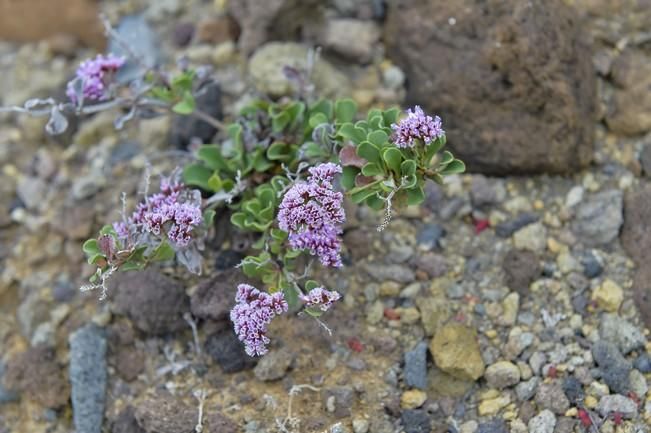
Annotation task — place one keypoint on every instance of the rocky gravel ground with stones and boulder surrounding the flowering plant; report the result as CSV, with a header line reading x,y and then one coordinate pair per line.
x,y
505,304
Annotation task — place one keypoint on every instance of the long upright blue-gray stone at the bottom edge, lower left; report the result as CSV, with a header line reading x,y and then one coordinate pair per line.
x,y
88,377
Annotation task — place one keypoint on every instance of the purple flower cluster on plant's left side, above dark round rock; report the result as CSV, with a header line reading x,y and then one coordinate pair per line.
x,y
165,212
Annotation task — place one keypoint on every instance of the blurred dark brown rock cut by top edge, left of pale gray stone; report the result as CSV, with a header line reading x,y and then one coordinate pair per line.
x,y
272,20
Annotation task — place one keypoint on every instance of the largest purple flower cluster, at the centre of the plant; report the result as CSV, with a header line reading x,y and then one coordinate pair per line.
x,y
312,213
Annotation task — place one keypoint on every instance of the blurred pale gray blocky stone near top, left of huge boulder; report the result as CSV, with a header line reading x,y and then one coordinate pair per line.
x,y
353,39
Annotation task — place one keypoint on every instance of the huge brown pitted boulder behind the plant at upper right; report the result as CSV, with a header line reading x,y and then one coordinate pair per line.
x,y
493,72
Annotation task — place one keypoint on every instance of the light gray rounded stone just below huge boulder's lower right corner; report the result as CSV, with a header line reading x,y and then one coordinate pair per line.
x,y
598,219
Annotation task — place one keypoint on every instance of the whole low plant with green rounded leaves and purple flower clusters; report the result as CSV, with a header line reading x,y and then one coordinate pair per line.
x,y
281,170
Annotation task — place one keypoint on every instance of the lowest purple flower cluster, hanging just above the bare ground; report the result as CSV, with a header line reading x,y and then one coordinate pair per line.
x,y
252,315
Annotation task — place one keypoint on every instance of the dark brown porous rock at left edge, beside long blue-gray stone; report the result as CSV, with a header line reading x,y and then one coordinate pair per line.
x,y
36,374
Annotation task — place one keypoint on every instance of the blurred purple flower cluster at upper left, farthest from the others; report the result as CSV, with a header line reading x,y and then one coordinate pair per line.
x,y
95,75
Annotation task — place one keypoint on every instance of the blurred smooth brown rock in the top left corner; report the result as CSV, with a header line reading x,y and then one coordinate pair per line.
x,y
33,20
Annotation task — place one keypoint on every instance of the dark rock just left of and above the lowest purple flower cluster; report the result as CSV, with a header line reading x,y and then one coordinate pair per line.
x,y
215,297
